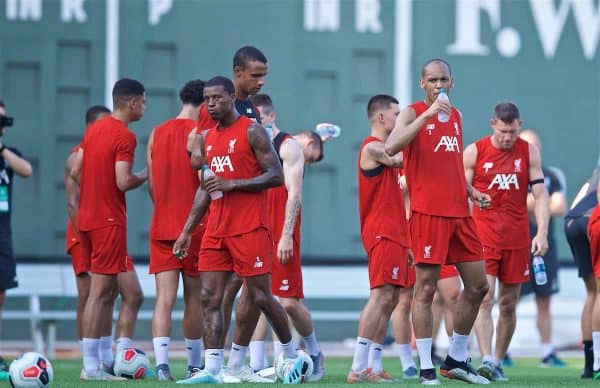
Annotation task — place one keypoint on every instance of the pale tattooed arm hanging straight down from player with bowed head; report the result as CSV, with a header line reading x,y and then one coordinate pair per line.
x,y
293,172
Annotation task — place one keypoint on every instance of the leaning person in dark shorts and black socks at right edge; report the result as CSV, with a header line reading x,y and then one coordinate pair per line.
x,y
576,223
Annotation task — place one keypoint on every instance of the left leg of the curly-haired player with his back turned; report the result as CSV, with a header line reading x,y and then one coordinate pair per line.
x,y
166,283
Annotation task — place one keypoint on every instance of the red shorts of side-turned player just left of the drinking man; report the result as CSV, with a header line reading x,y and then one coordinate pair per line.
x,y
388,264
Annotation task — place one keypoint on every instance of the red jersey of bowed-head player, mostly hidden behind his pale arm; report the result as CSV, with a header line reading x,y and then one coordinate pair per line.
x,y
277,198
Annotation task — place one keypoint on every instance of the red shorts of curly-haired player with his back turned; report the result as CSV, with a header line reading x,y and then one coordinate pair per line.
x,y
162,258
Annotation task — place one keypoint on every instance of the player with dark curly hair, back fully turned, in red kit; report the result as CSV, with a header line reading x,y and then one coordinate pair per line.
x,y
172,184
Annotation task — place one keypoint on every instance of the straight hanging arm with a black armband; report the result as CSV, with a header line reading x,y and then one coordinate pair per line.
x,y
539,243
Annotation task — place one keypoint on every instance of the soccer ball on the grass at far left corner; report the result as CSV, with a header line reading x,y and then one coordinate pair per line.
x,y
30,370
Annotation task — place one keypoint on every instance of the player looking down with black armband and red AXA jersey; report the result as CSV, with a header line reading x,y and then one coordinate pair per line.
x,y
504,166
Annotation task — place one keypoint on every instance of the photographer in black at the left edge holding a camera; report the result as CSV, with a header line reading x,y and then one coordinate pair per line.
x,y
11,162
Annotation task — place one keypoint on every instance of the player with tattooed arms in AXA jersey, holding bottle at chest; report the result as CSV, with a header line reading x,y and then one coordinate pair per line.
x,y
244,164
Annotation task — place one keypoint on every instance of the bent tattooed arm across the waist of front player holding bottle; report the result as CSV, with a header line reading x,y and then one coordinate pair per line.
x,y
266,156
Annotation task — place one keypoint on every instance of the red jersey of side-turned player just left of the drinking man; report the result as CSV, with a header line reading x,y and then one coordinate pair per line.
x,y
380,203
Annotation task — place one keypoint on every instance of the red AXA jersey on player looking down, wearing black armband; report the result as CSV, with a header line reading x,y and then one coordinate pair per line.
x,y
504,175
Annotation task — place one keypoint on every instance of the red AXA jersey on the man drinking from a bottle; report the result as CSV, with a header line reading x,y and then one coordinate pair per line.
x,y
434,168
